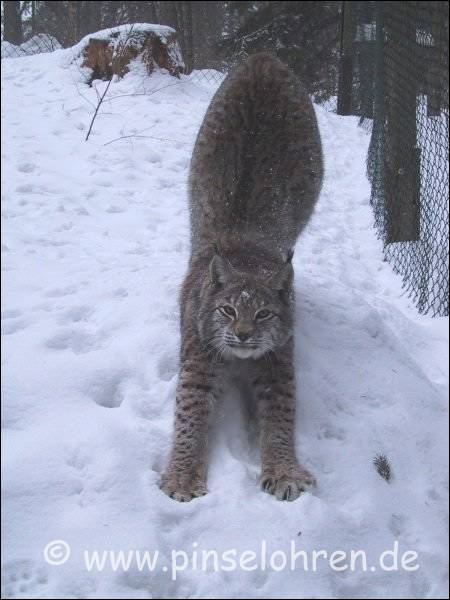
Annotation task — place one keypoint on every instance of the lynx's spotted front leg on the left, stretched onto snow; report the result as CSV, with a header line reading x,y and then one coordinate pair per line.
x,y
185,476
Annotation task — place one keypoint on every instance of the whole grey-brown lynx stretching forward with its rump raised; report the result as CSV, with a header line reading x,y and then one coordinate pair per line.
x,y
256,173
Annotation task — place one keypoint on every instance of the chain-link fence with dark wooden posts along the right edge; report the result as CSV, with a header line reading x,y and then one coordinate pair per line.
x,y
394,69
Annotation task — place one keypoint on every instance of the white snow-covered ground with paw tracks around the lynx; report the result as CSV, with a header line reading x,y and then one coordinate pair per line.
x,y
94,247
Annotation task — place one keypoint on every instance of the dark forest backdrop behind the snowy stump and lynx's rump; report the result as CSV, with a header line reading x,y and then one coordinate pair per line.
x,y
305,35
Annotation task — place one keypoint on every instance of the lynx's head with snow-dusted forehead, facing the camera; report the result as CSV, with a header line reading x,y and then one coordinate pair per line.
x,y
244,315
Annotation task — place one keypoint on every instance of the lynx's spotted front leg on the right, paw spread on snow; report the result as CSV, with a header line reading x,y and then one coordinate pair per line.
x,y
281,475
